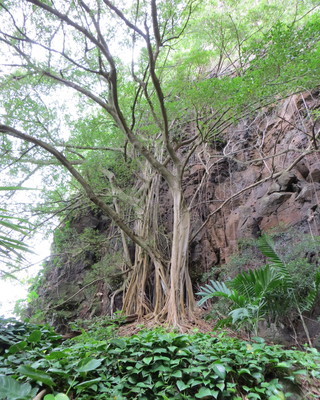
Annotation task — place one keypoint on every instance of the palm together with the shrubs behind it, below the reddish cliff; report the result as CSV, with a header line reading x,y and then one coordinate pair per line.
x,y
278,292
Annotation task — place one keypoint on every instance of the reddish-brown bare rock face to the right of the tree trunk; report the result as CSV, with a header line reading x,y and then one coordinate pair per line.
x,y
265,146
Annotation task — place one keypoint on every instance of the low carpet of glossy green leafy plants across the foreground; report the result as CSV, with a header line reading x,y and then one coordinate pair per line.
x,y
153,364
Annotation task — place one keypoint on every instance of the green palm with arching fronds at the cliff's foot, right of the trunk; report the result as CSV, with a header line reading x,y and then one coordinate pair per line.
x,y
254,295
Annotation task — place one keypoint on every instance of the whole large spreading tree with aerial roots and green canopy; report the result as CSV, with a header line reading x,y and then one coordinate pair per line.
x,y
144,109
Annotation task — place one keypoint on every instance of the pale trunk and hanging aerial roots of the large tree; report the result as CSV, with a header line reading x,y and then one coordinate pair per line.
x,y
158,288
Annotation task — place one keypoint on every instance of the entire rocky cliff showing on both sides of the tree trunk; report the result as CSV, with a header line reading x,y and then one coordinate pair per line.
x,y
261,176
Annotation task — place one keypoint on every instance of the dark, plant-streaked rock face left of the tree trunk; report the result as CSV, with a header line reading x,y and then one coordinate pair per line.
x,y
78,279
